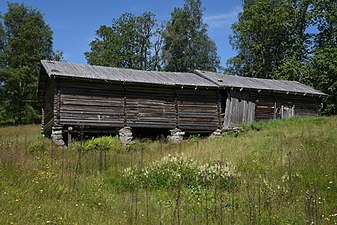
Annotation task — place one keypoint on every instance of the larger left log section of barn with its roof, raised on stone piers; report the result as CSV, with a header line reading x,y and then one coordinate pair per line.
x,y
101,99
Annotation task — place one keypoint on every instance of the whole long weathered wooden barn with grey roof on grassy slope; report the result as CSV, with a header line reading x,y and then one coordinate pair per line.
x,y
95,99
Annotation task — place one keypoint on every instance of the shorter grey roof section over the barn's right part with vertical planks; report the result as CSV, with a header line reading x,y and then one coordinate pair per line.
x,y
283,86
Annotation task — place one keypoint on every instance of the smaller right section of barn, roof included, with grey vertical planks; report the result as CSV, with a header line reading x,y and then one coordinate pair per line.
x,y
245,99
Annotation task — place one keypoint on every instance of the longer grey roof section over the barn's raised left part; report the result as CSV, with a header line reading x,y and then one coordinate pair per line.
x,y
70,70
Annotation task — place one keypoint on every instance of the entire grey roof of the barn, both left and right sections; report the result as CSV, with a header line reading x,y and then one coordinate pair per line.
x,y
197,79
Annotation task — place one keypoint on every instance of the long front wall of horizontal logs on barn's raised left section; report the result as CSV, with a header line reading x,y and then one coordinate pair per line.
x,y
98,104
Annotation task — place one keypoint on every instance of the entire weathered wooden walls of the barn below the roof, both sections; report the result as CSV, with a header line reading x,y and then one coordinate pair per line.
x,y
113,105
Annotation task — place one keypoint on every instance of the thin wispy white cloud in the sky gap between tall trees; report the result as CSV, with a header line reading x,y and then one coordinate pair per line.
x,y
223,20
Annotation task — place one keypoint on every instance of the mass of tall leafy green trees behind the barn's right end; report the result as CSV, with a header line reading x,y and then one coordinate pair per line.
x,y
289,39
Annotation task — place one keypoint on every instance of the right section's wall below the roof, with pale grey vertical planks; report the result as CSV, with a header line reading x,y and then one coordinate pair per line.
x,y
245,107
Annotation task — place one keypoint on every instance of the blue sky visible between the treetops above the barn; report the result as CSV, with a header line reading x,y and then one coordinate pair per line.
x,y
74,22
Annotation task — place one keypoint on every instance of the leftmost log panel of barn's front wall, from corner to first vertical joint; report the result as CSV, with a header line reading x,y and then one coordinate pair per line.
x,y
91,104
